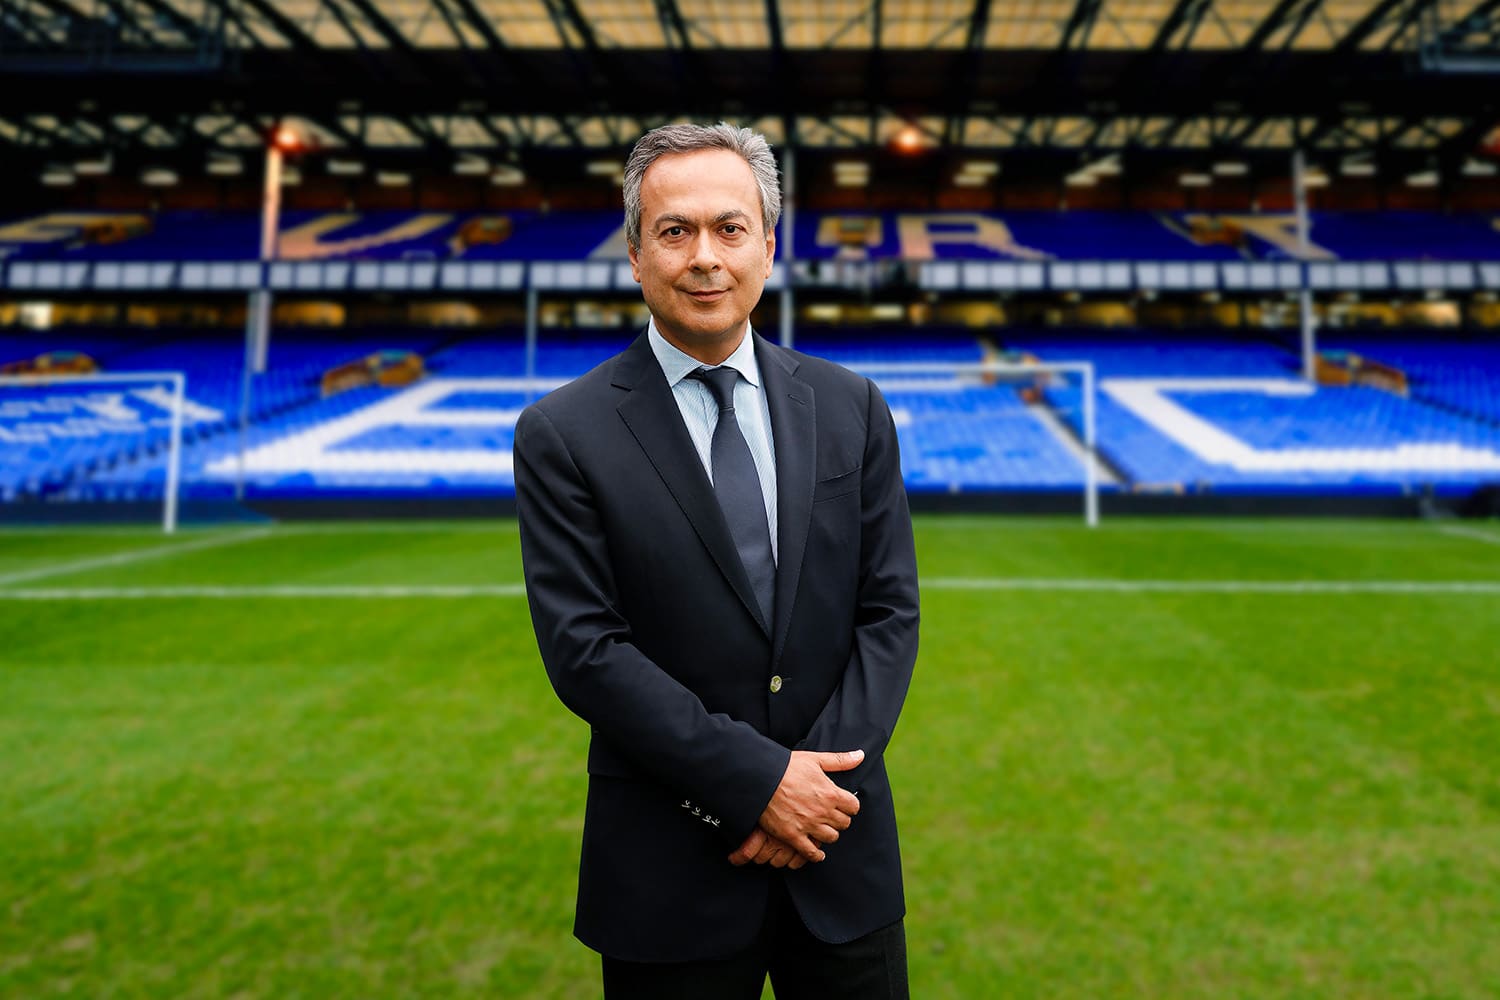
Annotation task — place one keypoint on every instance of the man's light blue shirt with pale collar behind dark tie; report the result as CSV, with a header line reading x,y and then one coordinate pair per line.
x,y
701,412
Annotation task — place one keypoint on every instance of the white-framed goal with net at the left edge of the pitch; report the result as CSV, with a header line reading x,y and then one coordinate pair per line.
x,y
92,439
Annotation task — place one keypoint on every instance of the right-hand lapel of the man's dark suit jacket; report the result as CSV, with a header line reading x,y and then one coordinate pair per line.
x,y
794,428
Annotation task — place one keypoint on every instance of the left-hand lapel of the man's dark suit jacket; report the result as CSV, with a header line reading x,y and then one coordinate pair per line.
x,y
652,415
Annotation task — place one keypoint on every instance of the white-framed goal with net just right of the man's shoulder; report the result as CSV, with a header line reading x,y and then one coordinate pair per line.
x,y
1021,428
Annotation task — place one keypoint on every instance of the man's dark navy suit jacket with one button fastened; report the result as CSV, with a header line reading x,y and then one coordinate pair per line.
x,y
650,632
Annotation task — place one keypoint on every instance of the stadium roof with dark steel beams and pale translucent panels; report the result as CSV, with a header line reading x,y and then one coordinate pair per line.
x,y
185,82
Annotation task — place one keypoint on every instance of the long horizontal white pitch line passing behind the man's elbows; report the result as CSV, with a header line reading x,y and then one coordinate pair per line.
x,y
938,584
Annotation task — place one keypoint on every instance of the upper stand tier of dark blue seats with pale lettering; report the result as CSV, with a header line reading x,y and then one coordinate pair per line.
x,y
917,236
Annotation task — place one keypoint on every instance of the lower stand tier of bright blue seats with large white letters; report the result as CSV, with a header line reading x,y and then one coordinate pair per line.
x,y
431,415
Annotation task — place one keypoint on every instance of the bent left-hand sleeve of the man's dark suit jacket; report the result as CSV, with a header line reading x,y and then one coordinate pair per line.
x,y
586,644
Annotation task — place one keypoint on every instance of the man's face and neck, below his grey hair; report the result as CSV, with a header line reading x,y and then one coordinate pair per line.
x,y
704,251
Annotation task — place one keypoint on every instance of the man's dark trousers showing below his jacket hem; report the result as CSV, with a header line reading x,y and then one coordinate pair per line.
x,y
802,968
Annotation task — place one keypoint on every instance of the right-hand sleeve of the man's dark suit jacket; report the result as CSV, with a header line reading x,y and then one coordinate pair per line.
x,y
863,710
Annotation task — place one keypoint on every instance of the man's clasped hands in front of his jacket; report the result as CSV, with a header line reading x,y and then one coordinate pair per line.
x,y
806,812
